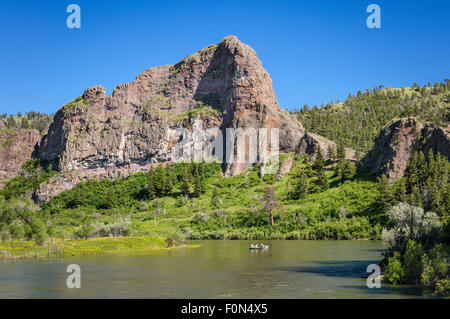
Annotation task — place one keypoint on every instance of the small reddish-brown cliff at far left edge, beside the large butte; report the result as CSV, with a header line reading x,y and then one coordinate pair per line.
x,y
16,147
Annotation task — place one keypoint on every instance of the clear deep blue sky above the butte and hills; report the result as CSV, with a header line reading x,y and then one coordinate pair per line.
x,y
315,51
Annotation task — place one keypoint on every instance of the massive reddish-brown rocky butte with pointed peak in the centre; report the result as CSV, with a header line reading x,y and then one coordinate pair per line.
x,y
221,86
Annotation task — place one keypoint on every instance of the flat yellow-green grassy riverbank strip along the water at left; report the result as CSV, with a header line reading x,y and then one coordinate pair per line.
x,y
95,246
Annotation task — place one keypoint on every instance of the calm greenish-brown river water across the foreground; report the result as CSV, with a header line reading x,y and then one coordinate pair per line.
x,y
216,269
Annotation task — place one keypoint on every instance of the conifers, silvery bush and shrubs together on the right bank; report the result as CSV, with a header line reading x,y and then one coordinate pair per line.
x,y
419,238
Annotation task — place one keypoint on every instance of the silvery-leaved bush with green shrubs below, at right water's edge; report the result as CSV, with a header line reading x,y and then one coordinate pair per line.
x,y
415,256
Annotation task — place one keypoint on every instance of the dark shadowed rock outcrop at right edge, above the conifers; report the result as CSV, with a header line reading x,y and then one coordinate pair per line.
x,y
398,141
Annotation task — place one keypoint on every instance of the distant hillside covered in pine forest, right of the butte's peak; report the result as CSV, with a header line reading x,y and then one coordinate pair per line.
x,y
357,121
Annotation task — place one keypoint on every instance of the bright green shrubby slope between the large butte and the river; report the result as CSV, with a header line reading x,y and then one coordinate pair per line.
x,y
194,201
